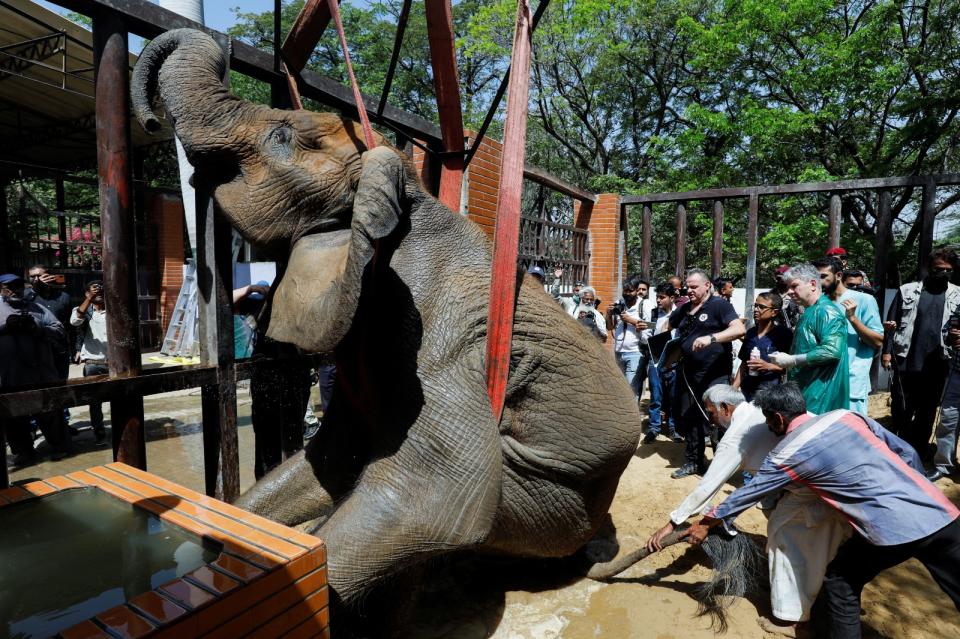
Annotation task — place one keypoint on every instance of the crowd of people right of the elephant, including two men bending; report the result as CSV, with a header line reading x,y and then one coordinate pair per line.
x,y
788,417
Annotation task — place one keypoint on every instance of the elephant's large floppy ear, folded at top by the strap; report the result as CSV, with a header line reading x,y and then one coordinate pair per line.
x,y
314,304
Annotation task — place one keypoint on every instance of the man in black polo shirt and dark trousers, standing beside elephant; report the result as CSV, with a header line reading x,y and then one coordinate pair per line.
x,y
707,324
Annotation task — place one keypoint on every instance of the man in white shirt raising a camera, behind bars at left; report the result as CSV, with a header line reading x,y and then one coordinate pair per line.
x,y
90,319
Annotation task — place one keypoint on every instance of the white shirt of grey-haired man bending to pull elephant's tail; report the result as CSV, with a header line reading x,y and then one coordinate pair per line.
x,y
745,445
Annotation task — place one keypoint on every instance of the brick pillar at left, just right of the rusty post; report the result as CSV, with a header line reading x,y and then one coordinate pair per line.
x,y
165,214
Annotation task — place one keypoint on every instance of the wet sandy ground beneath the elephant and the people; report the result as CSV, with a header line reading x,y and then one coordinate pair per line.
x,y
479,598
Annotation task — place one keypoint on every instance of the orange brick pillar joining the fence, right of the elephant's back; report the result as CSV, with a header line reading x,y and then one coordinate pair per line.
x,y
607,261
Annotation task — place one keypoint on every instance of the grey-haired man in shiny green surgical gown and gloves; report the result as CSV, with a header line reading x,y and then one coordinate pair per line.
x,y
818,359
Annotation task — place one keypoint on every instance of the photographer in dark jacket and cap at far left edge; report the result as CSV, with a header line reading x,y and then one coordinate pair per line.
x,y
28,335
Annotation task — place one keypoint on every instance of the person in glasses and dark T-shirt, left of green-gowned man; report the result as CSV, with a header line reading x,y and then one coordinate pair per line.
x,y
764,337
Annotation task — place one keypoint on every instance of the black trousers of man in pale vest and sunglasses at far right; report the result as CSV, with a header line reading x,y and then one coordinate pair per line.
x,y
915,398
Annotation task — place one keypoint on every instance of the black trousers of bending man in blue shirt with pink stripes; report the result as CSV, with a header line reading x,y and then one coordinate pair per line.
x,y
836,613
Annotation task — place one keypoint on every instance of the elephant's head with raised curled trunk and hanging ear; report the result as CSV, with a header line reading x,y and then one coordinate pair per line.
x,y
287,180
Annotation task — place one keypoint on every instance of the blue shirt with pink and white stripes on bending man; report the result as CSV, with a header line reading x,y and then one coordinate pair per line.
x,y
855,465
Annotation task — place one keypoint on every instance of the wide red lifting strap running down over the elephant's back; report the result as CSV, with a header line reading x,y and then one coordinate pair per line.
x,y
503,279
